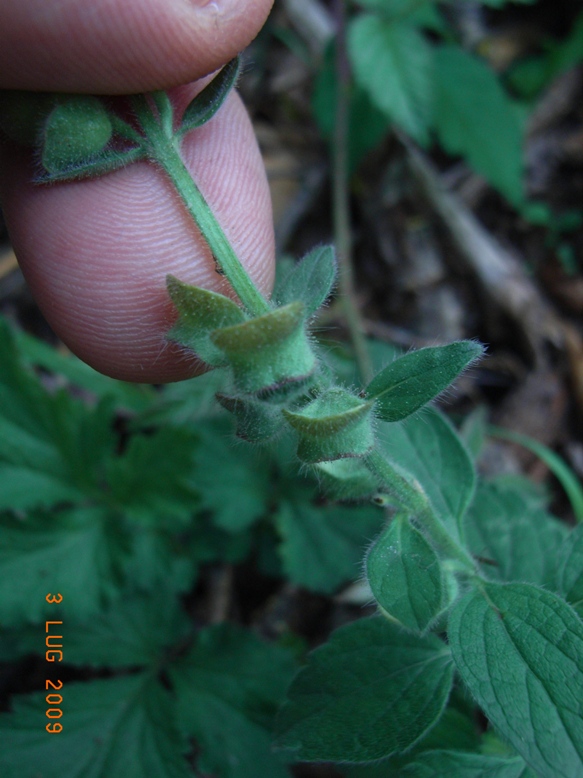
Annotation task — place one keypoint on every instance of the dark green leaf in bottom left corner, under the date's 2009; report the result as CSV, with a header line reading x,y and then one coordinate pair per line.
x,y
114,728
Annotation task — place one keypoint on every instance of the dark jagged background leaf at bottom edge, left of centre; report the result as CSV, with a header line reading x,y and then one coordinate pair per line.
x,y
229,687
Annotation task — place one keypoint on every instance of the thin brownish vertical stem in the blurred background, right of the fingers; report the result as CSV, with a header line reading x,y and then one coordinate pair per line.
x,y
341,208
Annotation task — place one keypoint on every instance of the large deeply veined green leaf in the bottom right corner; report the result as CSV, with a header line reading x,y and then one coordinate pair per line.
x,y
520,651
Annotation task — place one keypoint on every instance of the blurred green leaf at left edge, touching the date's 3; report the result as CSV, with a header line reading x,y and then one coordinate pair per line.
x,y
78,553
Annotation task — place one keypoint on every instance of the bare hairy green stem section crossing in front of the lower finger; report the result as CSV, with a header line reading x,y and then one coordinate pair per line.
x,y
163,149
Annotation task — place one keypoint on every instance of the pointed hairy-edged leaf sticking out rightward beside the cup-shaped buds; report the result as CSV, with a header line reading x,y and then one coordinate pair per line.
x,y
413,380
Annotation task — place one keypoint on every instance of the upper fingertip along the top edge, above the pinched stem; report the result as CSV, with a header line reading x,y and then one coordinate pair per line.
x,y
116,47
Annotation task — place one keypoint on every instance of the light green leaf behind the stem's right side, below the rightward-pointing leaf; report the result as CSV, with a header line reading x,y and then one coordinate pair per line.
x,y
427,449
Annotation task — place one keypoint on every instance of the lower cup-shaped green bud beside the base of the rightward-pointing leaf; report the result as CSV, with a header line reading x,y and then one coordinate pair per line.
x,y
336,425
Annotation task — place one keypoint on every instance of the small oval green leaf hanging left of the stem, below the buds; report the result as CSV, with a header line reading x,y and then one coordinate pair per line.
x,y
405,575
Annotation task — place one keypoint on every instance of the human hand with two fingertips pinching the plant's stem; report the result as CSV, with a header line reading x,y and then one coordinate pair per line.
x,y
96,253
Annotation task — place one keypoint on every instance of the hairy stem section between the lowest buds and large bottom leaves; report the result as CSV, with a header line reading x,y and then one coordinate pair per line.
x,y
415,500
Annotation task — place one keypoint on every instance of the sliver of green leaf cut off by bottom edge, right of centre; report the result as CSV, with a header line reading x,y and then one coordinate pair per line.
x,y
457,764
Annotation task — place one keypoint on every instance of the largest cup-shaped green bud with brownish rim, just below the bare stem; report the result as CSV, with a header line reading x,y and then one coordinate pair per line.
x,y
270,355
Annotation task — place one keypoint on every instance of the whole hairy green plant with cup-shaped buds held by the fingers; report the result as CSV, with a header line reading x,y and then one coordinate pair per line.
x,y
381,686
